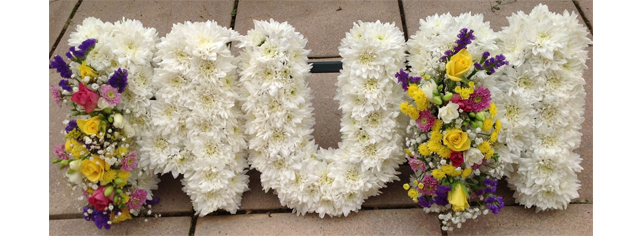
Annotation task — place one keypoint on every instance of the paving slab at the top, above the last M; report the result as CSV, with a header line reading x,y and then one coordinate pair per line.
x,y
420,9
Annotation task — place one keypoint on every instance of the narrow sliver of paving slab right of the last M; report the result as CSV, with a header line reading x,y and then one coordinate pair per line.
x,y
586,147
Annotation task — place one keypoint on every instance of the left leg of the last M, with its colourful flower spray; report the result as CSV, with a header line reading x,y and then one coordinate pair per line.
x,y
453,125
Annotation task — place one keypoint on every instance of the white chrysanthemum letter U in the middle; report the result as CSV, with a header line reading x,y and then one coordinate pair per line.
x,y
278,110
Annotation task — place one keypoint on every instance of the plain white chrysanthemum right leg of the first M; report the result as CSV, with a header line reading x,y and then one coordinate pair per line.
x,y
196,116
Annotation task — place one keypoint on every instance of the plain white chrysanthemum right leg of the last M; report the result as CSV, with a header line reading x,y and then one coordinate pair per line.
x,y
542,105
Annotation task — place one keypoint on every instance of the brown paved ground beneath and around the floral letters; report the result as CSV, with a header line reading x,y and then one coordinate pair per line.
x,y
324,23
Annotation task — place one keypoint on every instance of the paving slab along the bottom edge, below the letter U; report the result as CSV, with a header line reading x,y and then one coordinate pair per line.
x,y
368,222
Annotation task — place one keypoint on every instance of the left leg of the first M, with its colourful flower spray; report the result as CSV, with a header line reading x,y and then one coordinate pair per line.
x,y
98,154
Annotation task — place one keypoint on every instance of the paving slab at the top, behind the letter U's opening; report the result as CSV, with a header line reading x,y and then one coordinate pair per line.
x,y
323,22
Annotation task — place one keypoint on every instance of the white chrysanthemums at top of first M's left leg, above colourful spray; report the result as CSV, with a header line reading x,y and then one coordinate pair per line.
x,y
128,45
